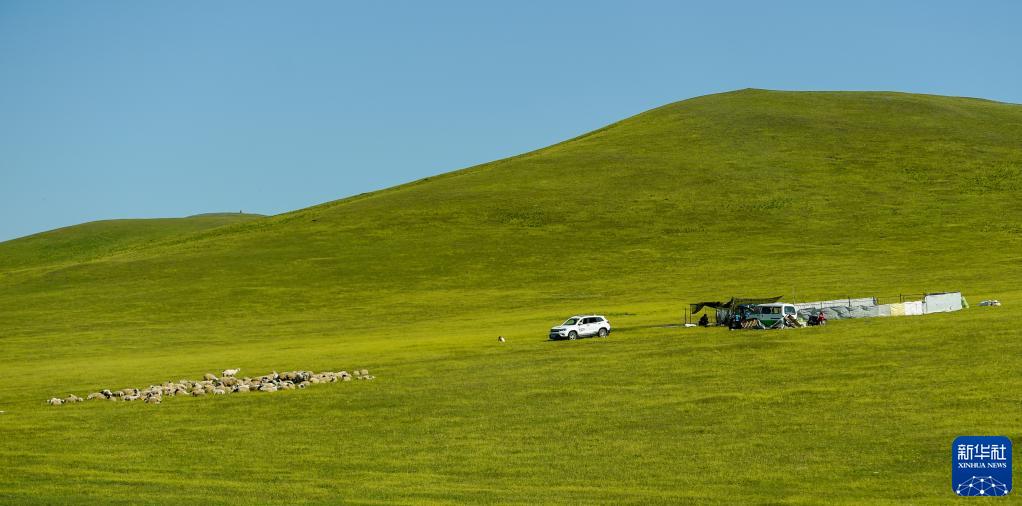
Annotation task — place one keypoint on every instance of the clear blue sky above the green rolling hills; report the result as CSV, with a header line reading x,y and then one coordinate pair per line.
x,y
136,109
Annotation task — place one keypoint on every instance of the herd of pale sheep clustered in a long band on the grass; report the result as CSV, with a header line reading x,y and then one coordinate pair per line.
x,y
211,385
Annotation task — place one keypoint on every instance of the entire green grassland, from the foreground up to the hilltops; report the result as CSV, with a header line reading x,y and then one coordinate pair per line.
x,y
745,194
